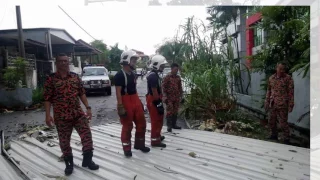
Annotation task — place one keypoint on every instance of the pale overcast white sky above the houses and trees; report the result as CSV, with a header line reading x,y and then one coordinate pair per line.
x,y
133,24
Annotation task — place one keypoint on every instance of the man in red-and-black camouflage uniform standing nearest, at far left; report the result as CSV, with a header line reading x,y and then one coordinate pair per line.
x,y
62,90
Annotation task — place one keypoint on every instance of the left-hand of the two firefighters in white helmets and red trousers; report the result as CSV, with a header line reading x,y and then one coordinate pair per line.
x,y
130,109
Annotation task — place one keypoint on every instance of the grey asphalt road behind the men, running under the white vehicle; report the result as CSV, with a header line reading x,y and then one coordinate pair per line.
x,y
103,110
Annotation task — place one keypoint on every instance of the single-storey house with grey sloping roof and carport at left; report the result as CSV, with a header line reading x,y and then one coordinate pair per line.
x,y
41,46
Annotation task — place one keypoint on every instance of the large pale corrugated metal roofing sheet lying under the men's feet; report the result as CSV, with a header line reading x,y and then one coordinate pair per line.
x,y
218,156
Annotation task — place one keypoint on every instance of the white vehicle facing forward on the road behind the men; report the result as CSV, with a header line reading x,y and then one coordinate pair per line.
x,y
96,79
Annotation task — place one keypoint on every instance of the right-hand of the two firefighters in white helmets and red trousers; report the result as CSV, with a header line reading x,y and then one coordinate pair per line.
x,y
154,100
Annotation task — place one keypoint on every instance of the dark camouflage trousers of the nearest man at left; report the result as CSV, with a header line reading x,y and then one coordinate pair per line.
x,y
65,127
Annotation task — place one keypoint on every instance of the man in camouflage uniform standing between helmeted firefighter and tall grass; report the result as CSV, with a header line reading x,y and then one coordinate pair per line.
x,y
172,95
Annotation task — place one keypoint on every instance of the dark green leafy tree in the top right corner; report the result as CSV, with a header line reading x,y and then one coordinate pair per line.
x,y
288,38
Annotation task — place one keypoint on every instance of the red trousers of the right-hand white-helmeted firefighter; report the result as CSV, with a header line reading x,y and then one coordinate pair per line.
x,y
156,121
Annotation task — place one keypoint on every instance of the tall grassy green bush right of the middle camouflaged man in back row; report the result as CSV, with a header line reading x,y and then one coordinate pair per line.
x,y
209,92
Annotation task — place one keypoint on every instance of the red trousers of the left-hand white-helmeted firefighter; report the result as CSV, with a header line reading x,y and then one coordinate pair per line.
x,y
135,114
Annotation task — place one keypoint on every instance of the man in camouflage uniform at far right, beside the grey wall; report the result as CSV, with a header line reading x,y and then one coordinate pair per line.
x,y
279,102
